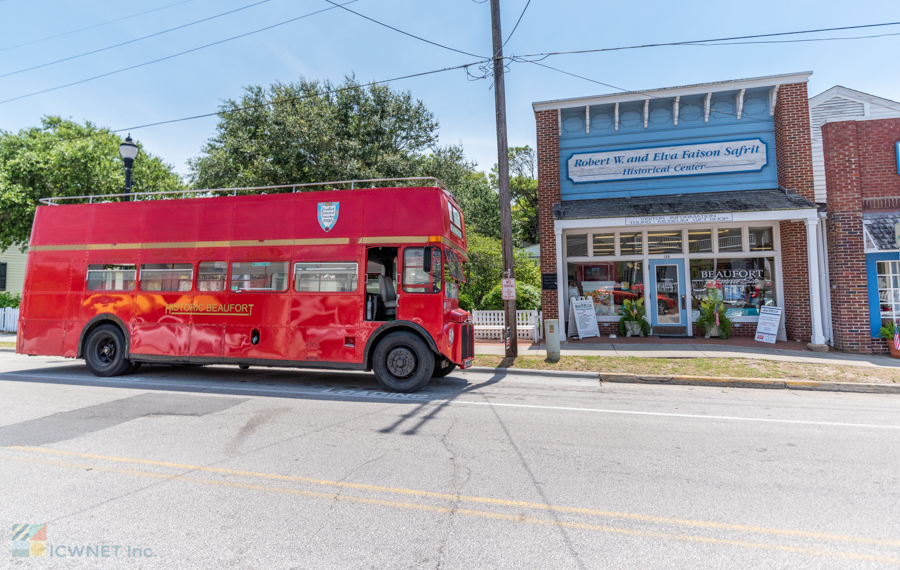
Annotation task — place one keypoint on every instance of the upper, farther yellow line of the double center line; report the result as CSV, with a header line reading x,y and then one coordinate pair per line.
x,y
483,500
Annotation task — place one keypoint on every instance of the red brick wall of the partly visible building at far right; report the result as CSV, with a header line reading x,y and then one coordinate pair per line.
x,y
860,174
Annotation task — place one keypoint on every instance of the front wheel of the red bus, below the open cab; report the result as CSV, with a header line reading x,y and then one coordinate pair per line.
x,y
402,362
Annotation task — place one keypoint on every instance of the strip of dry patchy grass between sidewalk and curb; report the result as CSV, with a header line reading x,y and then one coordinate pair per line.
x,y
712,367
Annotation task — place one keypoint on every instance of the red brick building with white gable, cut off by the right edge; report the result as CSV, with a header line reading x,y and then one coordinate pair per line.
x,y
862,182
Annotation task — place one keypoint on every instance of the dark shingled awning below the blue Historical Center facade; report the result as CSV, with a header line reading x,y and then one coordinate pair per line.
x,y
770,200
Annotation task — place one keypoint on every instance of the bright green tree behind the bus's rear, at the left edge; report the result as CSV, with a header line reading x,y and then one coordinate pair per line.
x,y
65,158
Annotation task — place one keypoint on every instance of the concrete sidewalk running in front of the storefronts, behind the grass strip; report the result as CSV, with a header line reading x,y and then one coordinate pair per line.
x,y
672,350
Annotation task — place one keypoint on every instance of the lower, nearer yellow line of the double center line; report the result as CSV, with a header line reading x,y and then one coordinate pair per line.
x,y
480,514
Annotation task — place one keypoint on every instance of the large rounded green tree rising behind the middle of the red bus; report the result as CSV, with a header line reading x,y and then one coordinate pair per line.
x,y
314,131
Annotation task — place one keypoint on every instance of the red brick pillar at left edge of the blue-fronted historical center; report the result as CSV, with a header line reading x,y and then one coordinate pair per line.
x,y
548,194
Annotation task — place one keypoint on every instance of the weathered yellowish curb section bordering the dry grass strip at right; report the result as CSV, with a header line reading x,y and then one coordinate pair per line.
x,y
758,383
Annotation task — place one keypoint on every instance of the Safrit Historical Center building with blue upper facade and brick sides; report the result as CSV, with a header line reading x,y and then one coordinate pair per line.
x,y
670,193
